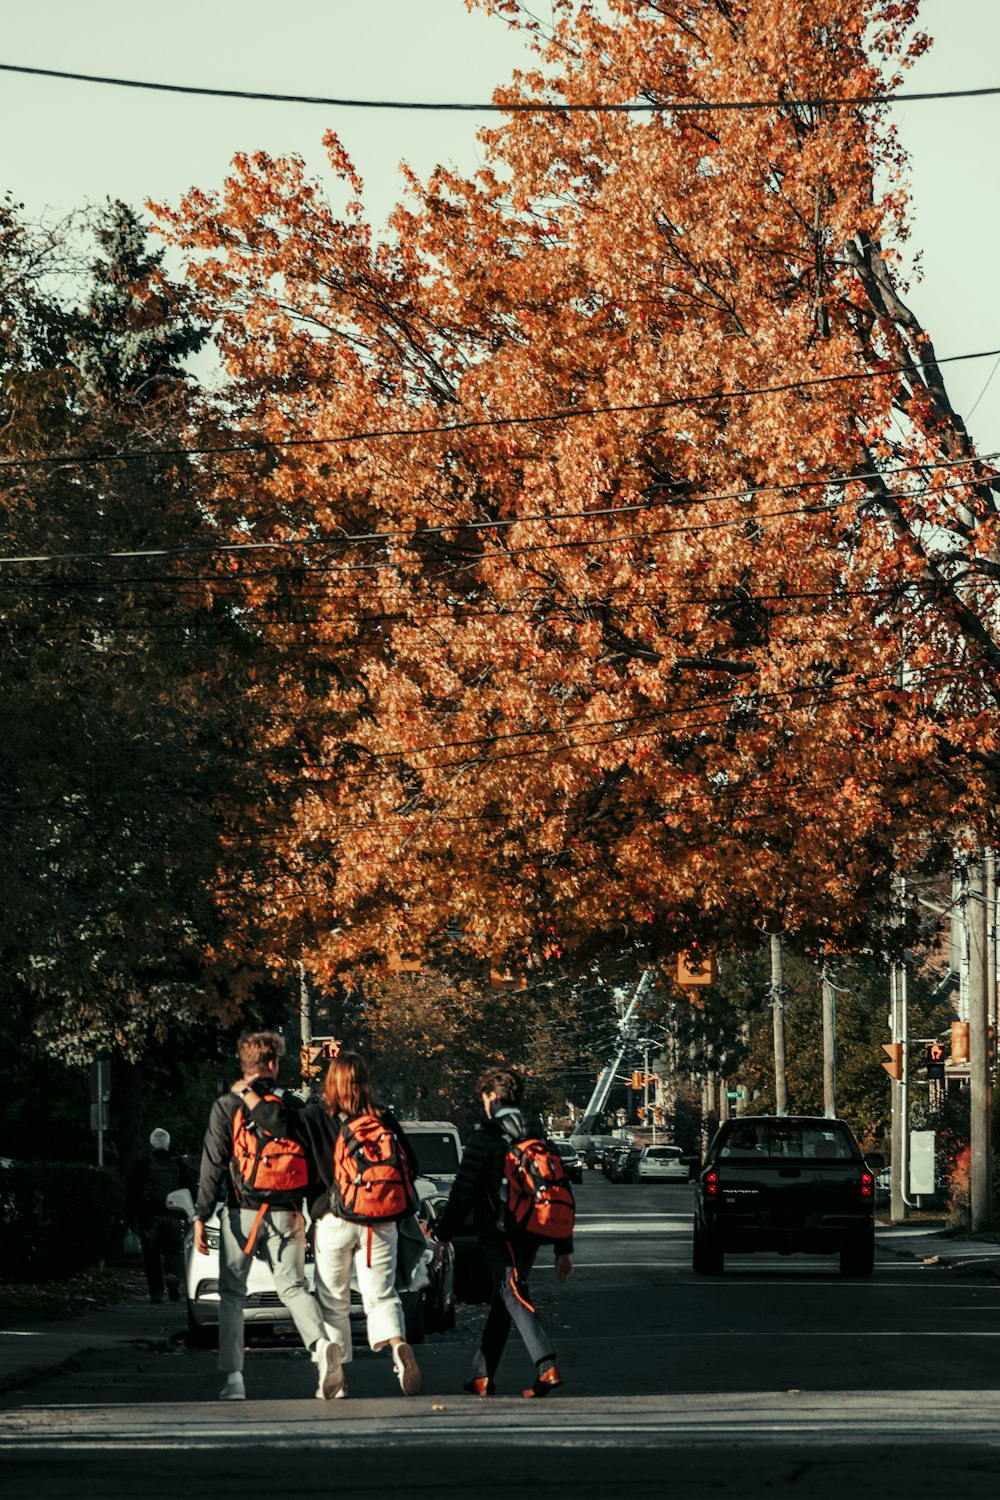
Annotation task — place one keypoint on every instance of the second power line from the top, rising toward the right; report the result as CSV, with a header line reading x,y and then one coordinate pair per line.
x,y
479,424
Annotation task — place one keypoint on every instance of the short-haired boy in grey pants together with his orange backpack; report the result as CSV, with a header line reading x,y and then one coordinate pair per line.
x,y
260,1177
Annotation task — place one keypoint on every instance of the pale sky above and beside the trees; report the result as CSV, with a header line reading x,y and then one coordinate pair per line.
x,y
70,143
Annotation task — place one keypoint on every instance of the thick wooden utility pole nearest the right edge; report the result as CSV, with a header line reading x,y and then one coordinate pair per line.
x,y
980,1078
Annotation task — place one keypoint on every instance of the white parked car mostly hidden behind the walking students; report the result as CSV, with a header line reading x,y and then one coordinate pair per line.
x,y
428,1309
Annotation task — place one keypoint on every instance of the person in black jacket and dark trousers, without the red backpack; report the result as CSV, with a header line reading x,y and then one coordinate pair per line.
x,y
509,1258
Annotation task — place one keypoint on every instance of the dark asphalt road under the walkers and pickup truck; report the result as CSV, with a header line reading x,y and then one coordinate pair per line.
x,y
777,1378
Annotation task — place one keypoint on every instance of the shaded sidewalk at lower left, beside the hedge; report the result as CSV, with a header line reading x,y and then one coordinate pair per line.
x,y
31,1349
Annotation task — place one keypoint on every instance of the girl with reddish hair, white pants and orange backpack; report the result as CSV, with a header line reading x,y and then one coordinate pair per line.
x,y
356,1225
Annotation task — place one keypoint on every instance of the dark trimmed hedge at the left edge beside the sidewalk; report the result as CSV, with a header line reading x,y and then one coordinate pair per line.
x,y
56,1219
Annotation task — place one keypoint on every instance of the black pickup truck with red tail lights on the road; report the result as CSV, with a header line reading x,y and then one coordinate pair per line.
x,y
786,1184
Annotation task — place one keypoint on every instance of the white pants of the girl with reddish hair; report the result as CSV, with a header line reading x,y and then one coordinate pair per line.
x,y
338,1247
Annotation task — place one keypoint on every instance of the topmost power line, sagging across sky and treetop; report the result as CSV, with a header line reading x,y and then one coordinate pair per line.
x,y
515,107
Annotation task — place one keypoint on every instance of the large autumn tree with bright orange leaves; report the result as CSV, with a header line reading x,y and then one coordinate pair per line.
x,y
629,569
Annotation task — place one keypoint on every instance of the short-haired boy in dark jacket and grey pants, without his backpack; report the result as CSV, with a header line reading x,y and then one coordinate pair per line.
x,y
278,1228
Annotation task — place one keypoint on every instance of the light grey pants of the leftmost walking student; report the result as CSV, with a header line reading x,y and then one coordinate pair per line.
x,y
283,1235
